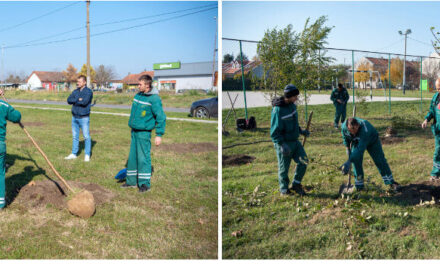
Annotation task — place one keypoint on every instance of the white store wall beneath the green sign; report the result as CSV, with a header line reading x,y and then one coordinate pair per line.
x,y
190,82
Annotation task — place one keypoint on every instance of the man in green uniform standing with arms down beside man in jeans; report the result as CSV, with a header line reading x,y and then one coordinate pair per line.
x,y
146,114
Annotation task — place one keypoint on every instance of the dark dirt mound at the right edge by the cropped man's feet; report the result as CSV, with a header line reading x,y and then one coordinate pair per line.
x,y
418,192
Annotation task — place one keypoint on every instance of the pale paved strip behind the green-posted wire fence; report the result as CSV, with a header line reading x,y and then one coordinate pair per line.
x,y
259,99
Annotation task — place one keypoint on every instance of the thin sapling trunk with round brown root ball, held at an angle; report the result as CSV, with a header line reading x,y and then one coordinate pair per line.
x,y
82,203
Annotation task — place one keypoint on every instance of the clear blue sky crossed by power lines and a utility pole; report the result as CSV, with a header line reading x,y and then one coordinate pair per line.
x,y
160,37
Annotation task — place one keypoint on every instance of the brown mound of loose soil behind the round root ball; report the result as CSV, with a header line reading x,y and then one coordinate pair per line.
x,y
42,193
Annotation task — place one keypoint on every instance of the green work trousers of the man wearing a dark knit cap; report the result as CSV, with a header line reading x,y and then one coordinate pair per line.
x,y
299,156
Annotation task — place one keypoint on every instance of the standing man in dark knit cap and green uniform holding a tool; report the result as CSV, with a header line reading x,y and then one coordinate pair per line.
x,y
284,131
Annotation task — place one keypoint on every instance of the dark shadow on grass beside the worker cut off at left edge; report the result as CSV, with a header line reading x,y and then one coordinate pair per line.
x,y
15,182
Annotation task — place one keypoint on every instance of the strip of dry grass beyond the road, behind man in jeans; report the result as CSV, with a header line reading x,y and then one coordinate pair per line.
x,y
169,99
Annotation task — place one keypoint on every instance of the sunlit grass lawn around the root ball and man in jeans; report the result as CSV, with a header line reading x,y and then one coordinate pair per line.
x,y
178,218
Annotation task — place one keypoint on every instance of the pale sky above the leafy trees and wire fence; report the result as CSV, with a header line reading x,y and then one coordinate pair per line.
x,y
369,26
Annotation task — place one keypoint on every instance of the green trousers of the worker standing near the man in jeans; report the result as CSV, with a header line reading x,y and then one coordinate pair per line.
x,y
139,159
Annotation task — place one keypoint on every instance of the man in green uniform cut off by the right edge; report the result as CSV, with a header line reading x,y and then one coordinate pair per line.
x,y
434,113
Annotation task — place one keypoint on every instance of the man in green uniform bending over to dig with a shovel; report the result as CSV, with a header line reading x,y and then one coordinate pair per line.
x,y
361,135
